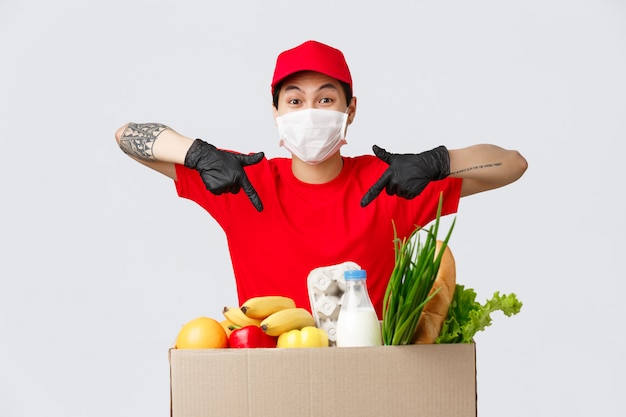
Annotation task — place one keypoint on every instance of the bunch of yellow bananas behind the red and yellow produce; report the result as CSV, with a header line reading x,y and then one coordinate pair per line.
x,y
274,314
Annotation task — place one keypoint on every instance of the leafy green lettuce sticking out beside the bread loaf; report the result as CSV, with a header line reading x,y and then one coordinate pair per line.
x,y
466,316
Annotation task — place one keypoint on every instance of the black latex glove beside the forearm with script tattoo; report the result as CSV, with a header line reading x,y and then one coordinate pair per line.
x,y
408,174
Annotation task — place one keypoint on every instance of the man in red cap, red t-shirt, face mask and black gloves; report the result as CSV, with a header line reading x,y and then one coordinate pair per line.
x,y
317,208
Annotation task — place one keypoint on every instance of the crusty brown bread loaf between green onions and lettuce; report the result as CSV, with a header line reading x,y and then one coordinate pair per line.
x,y
435,311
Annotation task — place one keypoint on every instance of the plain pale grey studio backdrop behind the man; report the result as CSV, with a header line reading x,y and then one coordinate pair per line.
x,y
101,262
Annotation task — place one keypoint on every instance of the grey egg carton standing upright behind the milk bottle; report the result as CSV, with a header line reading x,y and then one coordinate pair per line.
x,y
326,286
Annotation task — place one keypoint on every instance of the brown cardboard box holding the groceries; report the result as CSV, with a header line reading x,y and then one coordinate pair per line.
x,y
385,381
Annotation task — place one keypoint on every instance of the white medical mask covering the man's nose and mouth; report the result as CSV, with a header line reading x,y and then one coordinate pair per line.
x,y
313,135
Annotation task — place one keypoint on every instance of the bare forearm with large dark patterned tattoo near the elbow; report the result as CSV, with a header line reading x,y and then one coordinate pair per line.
x,y
154,145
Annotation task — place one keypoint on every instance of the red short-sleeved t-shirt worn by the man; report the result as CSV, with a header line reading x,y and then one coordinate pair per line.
x,y
306,226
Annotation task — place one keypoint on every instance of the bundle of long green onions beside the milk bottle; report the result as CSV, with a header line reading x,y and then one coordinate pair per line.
x,y
411,281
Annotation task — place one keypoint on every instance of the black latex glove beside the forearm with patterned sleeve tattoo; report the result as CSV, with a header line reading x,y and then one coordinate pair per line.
x,y
222,171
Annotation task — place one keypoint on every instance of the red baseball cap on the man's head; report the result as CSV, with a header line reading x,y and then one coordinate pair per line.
x,y
312,56
